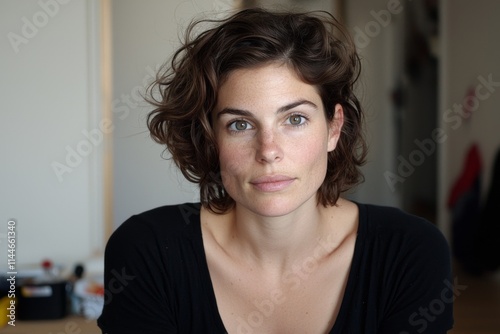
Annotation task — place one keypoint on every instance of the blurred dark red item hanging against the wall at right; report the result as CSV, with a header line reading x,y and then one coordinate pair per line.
x,y
471,170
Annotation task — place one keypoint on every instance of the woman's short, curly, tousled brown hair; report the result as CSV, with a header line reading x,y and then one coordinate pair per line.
x,y
185,91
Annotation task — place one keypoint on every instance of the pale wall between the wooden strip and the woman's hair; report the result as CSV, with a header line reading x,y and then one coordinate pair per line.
x,y
145,35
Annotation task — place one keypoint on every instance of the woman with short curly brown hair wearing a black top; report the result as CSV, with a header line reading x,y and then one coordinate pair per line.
x,y
259,110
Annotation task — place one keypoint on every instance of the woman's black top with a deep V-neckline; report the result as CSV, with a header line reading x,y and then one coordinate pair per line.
x,y
157,278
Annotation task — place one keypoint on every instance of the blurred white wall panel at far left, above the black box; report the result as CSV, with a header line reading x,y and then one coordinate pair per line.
x,y
50,127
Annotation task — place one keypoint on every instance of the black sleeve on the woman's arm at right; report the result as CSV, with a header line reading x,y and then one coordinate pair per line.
x,y
421,285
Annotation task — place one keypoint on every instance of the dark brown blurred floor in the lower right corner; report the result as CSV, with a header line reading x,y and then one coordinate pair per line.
x,y
477,308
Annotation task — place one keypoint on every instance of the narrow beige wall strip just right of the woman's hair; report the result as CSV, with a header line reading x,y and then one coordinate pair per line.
x,y
380,65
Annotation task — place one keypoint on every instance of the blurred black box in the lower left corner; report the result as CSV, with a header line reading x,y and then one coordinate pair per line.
x,y
42,301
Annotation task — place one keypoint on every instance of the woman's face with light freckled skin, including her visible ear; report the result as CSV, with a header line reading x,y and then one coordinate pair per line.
x,y
273,139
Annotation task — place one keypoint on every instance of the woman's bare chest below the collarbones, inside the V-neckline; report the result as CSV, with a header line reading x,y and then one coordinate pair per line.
x,y
305,299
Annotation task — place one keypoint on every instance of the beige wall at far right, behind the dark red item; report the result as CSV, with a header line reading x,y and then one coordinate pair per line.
x,y
470,50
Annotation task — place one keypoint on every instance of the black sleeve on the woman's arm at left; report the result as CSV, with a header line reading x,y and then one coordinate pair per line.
x,y
136,282
